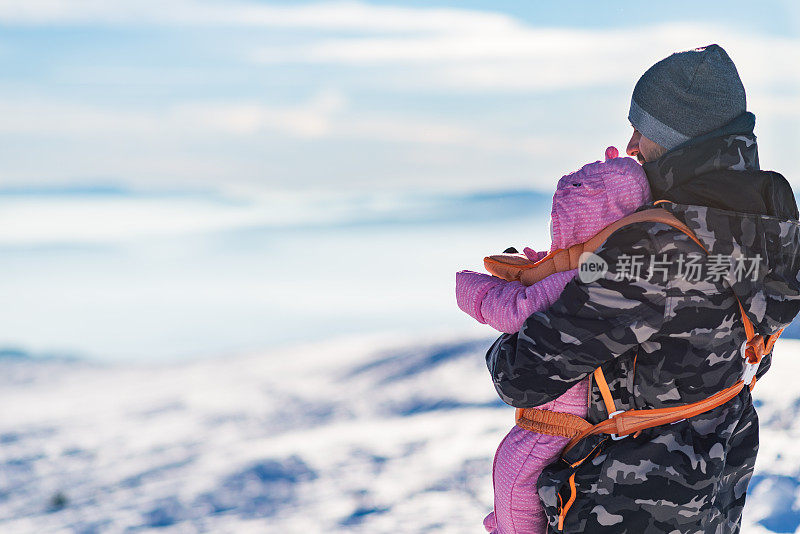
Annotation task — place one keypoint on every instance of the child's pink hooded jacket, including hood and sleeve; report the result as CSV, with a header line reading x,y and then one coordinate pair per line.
x,y
584,203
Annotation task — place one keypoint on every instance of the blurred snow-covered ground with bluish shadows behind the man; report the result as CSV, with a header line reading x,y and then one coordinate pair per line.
x,y
361,434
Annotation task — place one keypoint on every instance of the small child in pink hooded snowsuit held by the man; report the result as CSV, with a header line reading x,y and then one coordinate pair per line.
x,y
584,203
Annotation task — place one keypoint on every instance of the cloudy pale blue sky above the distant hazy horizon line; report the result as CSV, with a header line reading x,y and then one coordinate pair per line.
x,y
246,96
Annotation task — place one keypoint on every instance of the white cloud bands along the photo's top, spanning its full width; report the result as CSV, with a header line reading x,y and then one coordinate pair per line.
x,y
453,49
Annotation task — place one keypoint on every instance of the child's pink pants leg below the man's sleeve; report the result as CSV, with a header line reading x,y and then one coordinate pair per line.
x,y
520,459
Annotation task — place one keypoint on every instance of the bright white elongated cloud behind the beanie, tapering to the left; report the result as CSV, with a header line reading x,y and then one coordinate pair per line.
x,y
518,57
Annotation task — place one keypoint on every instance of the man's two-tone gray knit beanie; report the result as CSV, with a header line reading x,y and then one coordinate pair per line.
x,y
687,94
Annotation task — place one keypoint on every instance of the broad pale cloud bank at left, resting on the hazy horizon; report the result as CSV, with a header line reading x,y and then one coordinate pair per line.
x,y
319,141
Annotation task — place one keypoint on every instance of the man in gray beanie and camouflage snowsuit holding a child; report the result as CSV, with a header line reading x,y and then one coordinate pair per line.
x,y
664,321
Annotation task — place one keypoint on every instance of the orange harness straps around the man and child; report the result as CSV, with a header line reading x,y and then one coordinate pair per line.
x,y
620,423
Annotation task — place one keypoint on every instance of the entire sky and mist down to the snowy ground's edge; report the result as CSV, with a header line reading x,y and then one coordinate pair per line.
x,y
199,177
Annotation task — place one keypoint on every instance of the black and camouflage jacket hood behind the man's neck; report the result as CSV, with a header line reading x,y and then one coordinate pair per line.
x,y
746,218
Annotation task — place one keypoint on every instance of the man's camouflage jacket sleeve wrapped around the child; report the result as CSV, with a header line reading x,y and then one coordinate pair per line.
x,y
591,323
